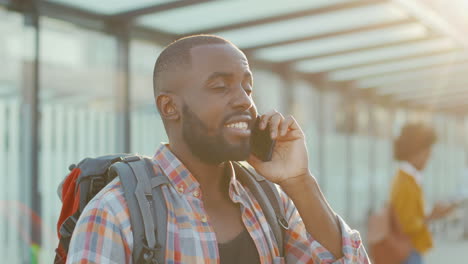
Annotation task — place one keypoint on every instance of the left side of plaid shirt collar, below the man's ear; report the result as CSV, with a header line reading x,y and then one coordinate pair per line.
x,y
179,176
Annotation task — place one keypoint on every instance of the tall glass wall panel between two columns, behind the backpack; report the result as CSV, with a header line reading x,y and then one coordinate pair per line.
x,y
78,110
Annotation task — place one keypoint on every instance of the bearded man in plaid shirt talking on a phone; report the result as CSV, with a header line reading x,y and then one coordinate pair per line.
x,y
203,91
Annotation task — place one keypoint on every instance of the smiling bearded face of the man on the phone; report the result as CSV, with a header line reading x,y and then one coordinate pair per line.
x,y
218,111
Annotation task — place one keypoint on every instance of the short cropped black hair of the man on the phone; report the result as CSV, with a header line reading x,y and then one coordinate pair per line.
x,y
176,56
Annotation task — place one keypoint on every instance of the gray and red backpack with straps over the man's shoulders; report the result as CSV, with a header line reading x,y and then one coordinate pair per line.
x,y
141,182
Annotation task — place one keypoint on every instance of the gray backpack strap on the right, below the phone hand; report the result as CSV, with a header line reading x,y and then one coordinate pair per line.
x,y
268,197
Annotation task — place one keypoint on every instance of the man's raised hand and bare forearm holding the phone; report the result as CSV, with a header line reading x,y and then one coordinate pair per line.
x,y
289,169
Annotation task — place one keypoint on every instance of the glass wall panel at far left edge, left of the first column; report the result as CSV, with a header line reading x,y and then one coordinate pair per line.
x,y
16,56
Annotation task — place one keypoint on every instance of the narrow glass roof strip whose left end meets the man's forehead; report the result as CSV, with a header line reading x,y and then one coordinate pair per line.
x,y
335,44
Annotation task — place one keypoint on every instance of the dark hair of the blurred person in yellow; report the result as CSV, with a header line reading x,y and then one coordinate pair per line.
x,y
414,137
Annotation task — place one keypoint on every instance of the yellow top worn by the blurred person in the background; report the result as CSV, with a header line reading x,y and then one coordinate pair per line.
x,y
407,202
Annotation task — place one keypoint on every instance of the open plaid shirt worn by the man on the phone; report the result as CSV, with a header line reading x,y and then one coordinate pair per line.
x,y
103,233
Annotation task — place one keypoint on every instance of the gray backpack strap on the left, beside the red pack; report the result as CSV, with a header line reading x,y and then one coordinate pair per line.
x,y
148,212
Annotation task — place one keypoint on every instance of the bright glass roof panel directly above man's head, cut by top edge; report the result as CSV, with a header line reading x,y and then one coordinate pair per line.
x,y
214,14
